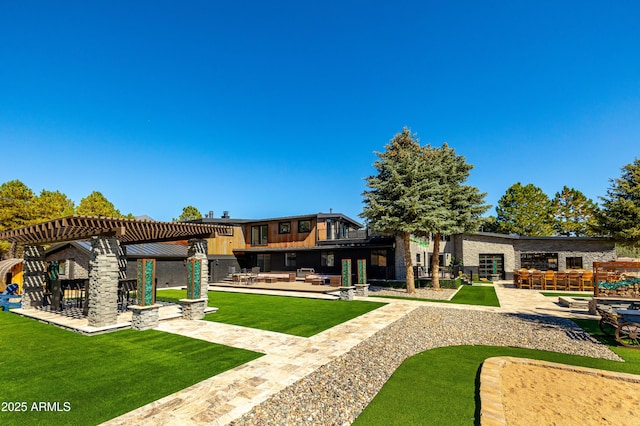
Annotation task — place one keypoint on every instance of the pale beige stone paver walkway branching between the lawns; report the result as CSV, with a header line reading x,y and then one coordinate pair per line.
x,y
227,396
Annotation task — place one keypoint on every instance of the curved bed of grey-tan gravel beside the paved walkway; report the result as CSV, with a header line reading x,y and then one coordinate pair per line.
x,y
337,392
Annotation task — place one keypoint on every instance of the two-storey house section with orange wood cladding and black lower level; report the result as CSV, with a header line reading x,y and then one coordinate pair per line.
x,y
319,241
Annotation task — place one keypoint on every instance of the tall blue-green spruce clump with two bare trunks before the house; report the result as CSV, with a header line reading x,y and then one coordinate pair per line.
x,y
419,191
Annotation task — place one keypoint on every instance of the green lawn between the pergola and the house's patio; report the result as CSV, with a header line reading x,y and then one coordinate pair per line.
x,y
291,315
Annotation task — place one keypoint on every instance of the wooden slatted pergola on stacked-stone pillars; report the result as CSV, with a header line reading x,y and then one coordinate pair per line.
x,y
107,235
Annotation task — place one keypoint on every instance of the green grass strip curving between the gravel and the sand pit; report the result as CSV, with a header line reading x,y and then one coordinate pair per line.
x,y
441,386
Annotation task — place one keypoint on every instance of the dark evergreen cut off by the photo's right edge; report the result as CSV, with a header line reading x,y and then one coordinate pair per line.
x,y
619,214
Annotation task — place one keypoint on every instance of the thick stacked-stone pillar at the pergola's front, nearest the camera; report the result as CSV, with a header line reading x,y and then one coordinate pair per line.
x,y
103,282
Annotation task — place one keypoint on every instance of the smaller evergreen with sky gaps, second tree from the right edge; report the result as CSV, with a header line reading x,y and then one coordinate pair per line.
x,y
574,213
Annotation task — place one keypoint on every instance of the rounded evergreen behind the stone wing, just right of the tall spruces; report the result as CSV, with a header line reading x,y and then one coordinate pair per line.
x,y
525,210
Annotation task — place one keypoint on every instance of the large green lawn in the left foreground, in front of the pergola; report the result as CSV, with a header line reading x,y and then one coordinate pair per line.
x,y
100,377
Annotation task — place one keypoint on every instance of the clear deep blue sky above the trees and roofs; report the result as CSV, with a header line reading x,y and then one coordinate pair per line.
x,y
275,108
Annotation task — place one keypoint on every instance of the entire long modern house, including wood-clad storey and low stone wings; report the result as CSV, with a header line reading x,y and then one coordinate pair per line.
x,y
321,240
